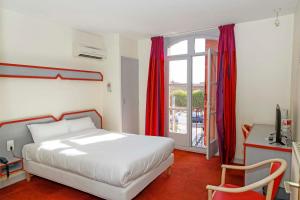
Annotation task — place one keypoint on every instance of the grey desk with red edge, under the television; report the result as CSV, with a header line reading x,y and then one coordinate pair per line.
x,y
257,148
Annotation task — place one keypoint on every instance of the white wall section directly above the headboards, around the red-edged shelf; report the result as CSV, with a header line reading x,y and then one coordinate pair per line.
x,y
34,41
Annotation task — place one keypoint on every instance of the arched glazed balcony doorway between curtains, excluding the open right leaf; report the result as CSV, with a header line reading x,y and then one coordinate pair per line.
x,y
187,62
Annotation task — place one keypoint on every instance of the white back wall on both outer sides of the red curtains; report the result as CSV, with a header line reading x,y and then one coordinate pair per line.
x,y
263,72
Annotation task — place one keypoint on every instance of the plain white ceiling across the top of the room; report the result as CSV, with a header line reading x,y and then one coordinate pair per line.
x,y
143,18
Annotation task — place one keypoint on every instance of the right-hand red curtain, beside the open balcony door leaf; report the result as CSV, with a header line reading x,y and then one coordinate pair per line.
x,y
226,93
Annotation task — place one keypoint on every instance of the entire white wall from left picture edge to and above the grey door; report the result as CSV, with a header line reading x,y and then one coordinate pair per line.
x,y
33,41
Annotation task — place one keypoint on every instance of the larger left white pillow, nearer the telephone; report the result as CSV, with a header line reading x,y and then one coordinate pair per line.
x,y
42,132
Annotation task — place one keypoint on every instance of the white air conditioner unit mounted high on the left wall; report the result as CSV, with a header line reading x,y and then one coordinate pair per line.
x,y
88,45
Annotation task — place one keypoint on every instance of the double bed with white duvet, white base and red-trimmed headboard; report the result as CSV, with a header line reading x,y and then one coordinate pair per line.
x,y
106,164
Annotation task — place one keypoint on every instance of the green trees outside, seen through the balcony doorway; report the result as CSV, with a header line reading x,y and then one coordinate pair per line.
x,y
181,98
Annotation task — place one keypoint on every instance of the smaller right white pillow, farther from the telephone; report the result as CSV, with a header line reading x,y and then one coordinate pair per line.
x,y
80,124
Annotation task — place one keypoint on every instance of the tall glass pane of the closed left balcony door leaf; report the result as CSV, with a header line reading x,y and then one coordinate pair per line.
x,y
178,97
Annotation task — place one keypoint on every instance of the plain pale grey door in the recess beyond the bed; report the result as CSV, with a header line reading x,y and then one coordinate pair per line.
x,y
130,95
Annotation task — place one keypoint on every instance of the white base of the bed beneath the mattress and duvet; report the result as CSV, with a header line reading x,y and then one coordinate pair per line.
x,y
99,189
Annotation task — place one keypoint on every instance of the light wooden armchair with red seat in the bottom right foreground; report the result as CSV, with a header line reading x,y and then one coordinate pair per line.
x,y
233,192
